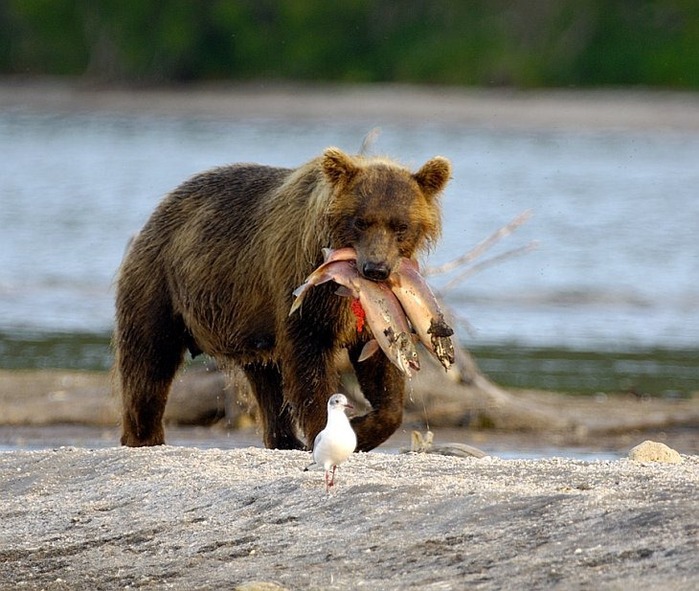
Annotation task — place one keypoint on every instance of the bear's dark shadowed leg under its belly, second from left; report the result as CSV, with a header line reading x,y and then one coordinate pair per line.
x,y
277,421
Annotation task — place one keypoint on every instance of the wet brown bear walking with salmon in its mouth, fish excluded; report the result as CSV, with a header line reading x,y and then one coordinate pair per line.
x,y
213,271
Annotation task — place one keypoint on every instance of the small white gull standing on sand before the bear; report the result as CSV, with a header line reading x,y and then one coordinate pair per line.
x,y
334,444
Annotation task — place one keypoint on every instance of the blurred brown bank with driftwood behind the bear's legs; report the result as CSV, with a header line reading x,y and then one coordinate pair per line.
x,y
435,400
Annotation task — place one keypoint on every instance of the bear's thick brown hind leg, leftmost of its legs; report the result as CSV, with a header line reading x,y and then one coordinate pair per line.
x,y
148,355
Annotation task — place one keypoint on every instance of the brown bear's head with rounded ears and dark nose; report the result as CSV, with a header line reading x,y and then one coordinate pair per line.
x,y
382,209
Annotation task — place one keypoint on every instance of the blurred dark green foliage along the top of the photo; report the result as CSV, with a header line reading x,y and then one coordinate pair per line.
x,y
535,43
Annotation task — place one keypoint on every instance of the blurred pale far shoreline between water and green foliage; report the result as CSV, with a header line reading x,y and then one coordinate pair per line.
x,y
630,109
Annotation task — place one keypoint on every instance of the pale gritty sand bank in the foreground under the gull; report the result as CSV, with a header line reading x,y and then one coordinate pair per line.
x,y
182,518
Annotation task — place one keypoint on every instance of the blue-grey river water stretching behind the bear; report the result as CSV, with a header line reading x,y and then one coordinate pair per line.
x,y
615,215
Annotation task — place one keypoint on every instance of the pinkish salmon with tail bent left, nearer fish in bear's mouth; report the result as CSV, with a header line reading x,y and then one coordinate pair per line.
x,y
384,315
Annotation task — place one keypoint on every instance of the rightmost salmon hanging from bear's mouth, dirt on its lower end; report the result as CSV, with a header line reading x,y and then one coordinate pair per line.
x,y
423,311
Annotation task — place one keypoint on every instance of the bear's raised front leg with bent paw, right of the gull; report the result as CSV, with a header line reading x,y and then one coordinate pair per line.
x,y
383,385
